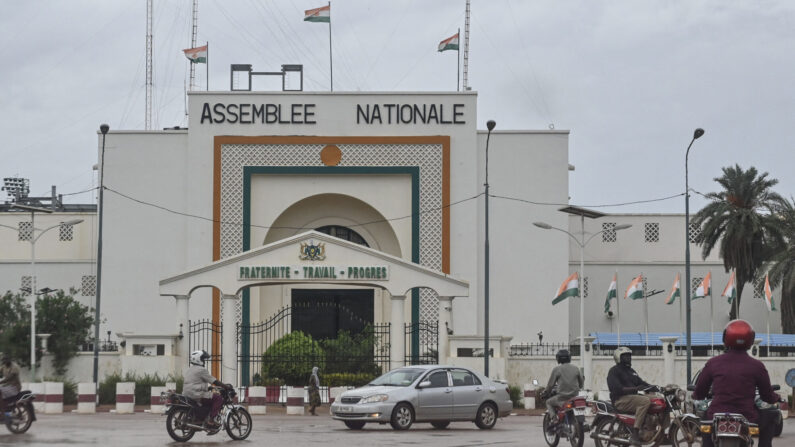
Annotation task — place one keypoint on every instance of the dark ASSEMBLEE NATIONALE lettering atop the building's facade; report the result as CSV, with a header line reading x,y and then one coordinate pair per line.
x,y
220,113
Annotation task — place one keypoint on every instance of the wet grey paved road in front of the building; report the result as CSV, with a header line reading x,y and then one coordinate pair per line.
x,y
143,429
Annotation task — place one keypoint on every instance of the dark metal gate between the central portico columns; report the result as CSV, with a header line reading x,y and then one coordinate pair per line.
x,y
365,351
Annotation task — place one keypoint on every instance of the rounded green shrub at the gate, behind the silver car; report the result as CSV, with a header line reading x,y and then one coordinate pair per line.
x,y
292,357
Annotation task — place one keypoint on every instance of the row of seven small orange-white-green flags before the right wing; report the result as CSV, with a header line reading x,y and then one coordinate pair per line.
x,y
571,287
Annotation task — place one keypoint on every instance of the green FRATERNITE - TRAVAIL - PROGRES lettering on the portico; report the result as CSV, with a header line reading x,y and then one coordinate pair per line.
x,y
306,272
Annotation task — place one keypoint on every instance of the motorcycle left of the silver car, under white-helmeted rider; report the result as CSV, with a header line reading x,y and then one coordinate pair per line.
x,y
186,416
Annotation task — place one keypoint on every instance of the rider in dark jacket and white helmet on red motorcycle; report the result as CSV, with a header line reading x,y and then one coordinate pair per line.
x,y
624,384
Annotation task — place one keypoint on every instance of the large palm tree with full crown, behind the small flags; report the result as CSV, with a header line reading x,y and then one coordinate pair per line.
x,y
740,221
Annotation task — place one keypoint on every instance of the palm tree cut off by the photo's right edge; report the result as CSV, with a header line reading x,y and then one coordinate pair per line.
x,y
782,265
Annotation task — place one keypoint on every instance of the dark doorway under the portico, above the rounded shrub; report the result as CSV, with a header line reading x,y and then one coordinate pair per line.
x,y
322,313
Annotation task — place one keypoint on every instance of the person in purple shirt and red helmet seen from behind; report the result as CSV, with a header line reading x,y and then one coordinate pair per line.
x,y
734,377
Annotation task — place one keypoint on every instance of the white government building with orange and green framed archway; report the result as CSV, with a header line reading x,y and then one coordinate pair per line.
x,y
229,220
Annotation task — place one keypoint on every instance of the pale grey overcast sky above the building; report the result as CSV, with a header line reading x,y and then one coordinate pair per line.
x,y
630,79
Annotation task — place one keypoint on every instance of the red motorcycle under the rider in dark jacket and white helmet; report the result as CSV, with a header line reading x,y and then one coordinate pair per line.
x,y
614,428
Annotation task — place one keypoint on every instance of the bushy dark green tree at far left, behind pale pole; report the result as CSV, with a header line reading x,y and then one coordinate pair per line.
x,y
58,314
